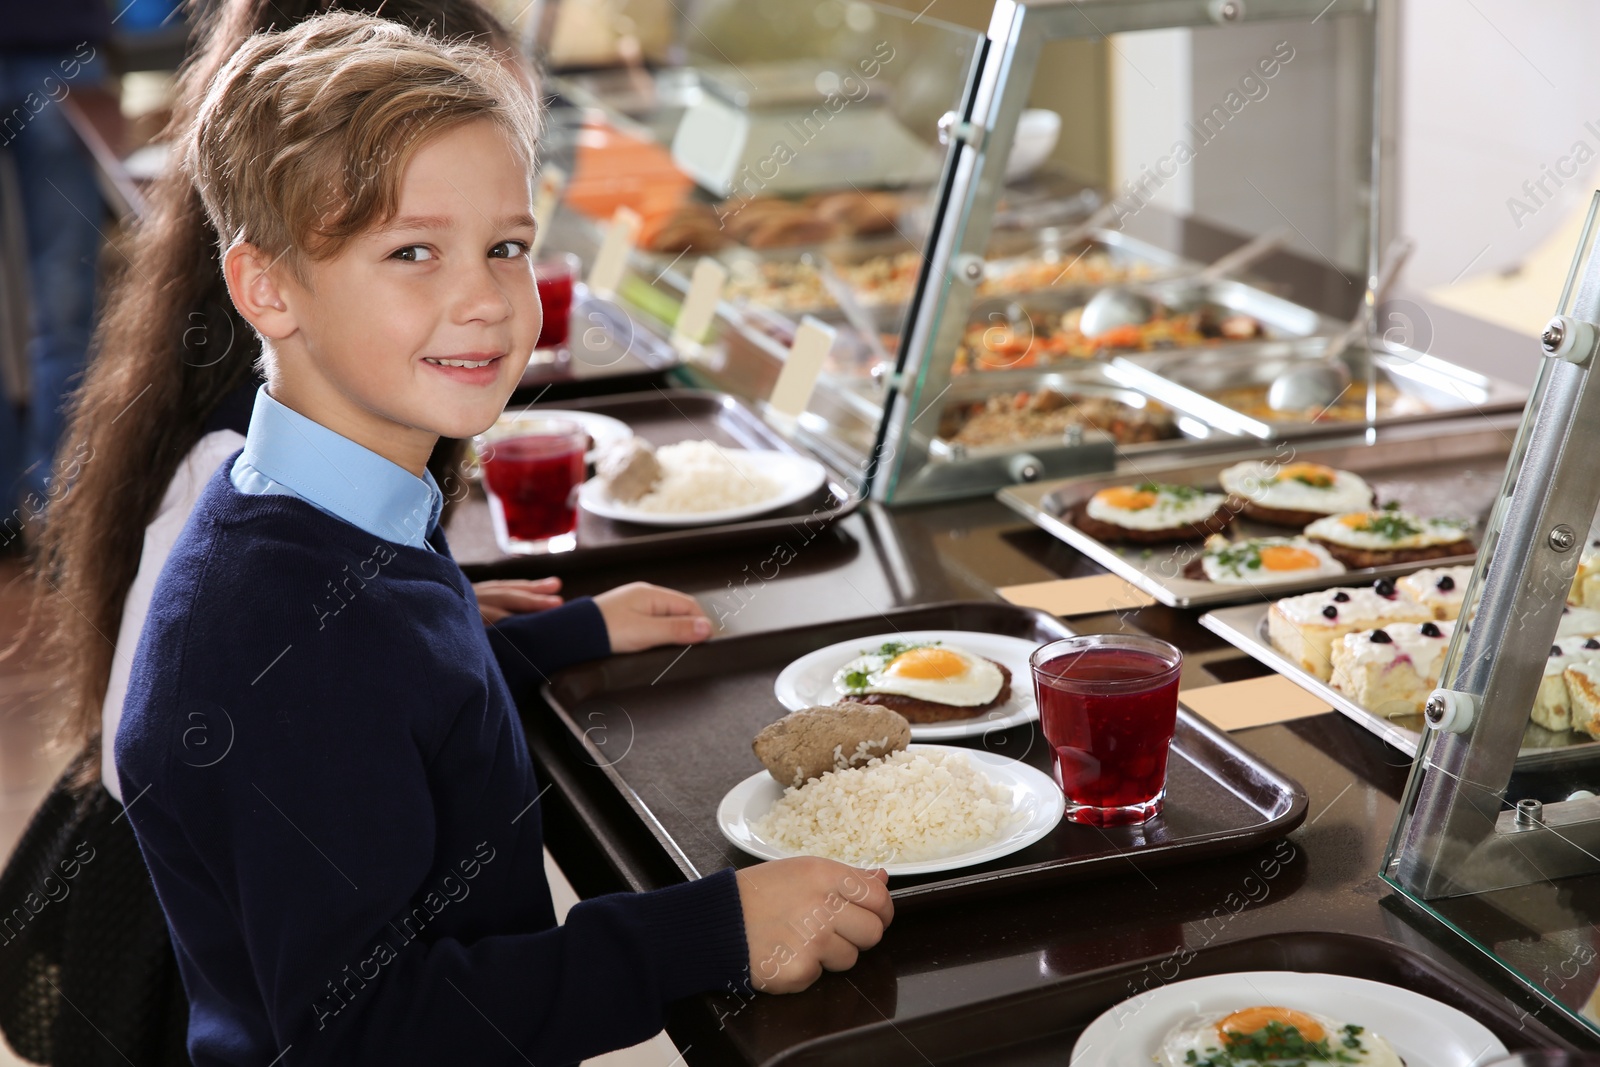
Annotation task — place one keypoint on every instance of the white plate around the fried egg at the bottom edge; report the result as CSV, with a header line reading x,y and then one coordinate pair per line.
x,y
1423,1031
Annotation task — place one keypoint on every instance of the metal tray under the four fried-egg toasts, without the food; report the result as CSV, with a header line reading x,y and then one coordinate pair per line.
x,y
1431,474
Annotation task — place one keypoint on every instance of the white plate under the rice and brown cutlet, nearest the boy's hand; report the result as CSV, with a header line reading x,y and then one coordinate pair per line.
x,y
1034,796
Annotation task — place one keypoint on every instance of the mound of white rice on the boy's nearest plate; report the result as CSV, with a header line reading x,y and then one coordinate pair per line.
x,y
908,807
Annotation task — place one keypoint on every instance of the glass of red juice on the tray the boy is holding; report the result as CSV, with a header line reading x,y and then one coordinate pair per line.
x,y
1108,705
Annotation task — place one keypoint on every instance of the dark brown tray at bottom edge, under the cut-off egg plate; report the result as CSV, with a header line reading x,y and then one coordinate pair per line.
x,y
1041,1026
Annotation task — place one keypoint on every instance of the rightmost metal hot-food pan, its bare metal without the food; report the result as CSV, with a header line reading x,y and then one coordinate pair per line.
x,y
1186,382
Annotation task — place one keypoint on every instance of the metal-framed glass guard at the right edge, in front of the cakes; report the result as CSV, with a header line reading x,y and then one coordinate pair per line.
x,y
1500,828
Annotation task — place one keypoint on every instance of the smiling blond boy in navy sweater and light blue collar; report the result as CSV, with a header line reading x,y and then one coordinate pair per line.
x,y
337,807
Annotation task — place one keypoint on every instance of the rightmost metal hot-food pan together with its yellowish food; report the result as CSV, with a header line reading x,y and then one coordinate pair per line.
x,y
1228,388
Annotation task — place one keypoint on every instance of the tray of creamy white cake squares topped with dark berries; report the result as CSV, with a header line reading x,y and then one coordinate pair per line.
x,y
1375,652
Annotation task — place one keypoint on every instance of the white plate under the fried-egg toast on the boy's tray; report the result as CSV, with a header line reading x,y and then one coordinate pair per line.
x,y
809,682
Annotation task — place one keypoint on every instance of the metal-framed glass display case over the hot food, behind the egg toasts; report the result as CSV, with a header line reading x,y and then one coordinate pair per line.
x,y
1017,242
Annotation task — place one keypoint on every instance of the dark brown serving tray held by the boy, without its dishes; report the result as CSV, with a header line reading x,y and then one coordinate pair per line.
x,y
673,730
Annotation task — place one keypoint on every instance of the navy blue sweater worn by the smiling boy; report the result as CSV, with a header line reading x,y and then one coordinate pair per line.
x,y
343,825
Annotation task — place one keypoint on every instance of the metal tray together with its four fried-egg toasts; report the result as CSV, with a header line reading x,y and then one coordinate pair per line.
x,y
1242,526
